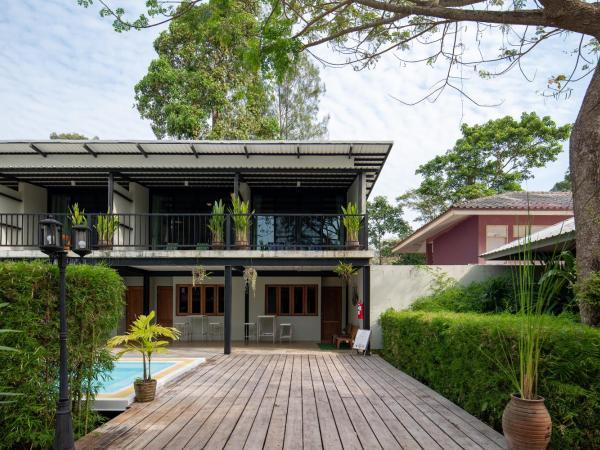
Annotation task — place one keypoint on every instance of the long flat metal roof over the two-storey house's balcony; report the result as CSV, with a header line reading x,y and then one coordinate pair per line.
x,y
199,163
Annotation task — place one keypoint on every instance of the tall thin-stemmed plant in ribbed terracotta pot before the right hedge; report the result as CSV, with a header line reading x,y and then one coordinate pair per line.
x,y
526,422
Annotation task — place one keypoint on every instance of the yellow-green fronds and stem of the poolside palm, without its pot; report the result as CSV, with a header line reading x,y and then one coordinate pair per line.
x,y
144,337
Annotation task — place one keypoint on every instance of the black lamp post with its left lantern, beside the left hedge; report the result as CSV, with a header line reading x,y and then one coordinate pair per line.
x,y
52,245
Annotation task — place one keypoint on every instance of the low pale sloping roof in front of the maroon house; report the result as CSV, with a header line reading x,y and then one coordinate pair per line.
x,y
546,240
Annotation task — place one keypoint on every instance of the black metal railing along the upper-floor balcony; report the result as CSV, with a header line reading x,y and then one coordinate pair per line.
x,y
158,231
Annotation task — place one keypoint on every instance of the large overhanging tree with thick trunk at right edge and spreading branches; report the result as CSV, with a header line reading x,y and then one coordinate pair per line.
x,y
363,30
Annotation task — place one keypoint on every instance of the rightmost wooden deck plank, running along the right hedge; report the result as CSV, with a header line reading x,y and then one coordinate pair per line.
x,y
477,430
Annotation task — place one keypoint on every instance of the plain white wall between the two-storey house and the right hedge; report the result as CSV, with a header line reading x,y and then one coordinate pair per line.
x,y
398,287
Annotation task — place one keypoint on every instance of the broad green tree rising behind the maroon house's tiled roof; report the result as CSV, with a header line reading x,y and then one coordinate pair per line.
x,y
490,158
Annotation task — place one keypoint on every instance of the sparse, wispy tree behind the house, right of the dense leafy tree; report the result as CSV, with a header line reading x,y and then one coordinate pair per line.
x,y
297,102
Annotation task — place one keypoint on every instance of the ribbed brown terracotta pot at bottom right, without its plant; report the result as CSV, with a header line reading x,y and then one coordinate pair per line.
x,y
526,424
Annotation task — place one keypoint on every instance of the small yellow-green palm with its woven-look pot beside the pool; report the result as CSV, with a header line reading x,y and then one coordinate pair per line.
x,y
144,337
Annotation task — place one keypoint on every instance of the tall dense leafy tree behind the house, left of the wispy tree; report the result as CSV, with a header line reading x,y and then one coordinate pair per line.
x,y
199,87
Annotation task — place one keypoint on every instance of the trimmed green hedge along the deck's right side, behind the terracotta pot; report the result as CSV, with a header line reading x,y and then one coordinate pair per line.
x,y
455,355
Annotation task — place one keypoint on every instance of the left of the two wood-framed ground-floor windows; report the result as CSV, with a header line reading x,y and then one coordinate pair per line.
x,y
208,300
